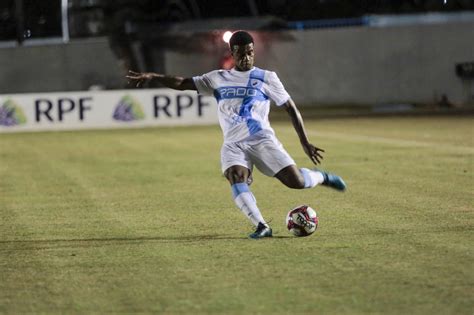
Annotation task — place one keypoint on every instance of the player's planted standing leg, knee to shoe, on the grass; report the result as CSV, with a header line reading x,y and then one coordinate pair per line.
x,y
238,177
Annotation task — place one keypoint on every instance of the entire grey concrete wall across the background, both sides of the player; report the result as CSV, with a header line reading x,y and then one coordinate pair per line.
x,y
361,65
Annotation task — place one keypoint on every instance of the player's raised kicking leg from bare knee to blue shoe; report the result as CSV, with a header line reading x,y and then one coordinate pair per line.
x,y
302,178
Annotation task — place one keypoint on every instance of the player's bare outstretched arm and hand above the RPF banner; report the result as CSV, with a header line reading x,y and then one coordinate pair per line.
x,y
172,82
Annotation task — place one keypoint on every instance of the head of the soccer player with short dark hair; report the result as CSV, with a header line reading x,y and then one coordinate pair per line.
x,y
241,48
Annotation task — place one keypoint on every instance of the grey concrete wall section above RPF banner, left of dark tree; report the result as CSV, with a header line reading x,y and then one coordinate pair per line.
x,y
59,67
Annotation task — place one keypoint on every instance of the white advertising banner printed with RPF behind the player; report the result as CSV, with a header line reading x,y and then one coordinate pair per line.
x,y
105,109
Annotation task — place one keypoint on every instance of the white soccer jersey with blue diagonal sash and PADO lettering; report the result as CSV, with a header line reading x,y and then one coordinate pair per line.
x,y
243,99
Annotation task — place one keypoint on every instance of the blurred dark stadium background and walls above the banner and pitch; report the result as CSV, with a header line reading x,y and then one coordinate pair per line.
x,y
329,52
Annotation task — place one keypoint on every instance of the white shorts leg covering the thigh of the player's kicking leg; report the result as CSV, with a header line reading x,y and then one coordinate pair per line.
x,y
270,157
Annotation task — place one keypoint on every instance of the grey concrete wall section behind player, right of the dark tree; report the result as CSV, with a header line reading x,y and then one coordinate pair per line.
x,y
360,64
